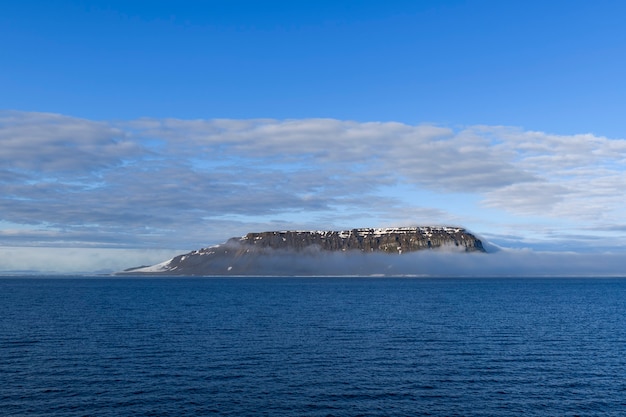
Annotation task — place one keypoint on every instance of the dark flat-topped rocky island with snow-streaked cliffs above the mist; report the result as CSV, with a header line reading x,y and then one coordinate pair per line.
x,y
302,252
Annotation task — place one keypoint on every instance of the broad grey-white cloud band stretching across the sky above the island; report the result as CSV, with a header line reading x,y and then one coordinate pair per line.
x,y
163,183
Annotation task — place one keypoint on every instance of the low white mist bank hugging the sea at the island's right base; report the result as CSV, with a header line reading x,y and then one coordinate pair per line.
x,y
441,262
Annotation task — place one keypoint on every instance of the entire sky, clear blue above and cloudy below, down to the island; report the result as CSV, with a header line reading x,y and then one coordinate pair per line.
x,y
131,131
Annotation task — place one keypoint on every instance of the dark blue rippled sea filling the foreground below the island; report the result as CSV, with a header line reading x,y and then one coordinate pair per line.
x,y
95,346
